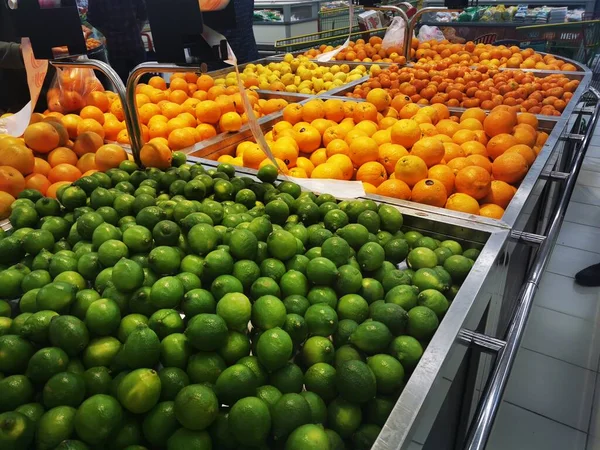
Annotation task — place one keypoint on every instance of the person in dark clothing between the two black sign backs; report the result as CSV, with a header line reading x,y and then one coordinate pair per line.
x,y
121,22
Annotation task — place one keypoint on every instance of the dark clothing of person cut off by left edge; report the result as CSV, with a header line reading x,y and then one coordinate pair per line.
x,y
14,92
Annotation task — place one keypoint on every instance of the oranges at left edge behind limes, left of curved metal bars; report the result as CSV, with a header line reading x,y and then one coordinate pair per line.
x,y
45,158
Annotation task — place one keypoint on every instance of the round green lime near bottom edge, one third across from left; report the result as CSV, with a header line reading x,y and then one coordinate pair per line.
x,y
196,407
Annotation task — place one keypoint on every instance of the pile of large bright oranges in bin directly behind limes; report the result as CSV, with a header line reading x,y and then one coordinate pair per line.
x,y
472,163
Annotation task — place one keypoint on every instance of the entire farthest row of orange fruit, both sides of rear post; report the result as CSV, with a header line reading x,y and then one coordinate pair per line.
x,y
447,53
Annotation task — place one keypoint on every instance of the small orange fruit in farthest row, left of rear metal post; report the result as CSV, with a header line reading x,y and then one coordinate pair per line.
x,y
364,51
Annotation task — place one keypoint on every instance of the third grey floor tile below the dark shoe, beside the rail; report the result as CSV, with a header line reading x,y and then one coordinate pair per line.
x,y
554,389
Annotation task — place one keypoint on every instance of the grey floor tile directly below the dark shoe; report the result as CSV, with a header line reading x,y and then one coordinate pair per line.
x,y
561,294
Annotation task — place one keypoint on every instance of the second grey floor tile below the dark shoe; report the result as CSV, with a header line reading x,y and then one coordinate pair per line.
x,y
563,337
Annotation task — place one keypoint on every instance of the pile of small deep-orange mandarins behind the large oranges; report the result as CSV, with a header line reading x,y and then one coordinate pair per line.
x,y
472,87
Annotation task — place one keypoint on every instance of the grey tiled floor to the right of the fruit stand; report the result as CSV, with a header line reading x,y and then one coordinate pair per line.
x,y
552,401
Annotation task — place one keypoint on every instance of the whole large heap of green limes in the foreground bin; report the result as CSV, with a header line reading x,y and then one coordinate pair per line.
x,y
148,312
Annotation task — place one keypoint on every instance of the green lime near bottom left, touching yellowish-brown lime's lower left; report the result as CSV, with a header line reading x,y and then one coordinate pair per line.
x,y
98,418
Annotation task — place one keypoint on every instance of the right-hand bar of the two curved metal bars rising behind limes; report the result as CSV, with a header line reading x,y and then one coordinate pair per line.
x,y
135,135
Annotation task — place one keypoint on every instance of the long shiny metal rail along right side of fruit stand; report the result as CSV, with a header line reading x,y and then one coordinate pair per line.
x,y
482,425
